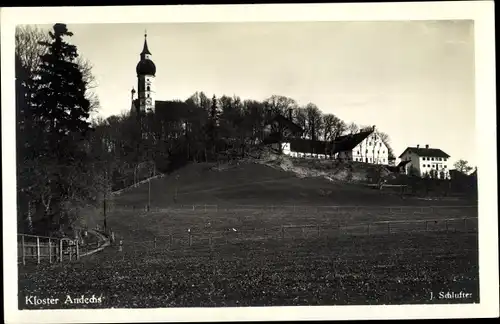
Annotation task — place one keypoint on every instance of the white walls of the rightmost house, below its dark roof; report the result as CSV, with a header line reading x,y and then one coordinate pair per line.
x,y
426,165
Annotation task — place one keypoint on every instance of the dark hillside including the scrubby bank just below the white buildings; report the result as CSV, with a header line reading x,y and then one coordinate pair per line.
x,y
280,181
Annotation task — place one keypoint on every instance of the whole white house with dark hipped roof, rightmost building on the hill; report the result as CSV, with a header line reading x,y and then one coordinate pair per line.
x,y
426,161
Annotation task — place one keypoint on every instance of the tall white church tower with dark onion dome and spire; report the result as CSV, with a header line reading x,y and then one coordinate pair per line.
x,y
146,71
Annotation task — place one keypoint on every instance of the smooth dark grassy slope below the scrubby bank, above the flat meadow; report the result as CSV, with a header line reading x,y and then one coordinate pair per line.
x,y
255,184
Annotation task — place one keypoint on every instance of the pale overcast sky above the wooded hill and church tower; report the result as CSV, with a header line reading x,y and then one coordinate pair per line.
x,y
414,80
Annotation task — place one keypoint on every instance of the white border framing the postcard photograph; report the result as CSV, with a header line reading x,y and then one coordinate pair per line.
x,y
481,12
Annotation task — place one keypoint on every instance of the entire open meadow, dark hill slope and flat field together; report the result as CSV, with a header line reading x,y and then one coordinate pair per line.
x,y
252,235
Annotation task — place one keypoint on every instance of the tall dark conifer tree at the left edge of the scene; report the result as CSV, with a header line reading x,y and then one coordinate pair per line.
x,y
61,113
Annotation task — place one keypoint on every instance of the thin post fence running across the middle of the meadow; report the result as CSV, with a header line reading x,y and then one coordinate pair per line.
x,y
229,236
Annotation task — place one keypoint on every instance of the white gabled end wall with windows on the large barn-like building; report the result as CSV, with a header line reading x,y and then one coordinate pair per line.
x,y
371,150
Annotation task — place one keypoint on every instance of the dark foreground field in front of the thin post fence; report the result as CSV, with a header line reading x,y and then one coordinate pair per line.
x,y
348,270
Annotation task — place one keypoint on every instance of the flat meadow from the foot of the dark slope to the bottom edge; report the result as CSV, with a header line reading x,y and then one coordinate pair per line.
x,y
161,264
